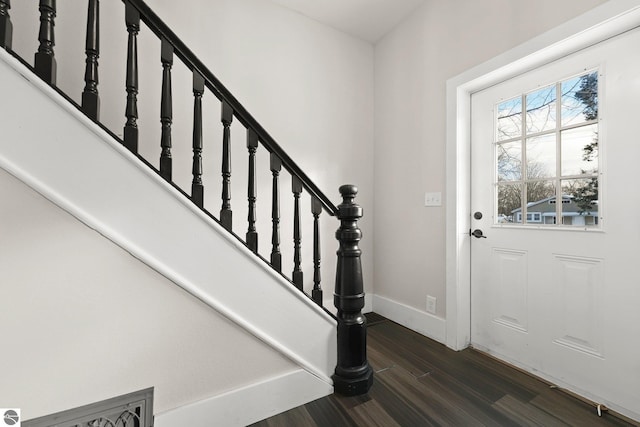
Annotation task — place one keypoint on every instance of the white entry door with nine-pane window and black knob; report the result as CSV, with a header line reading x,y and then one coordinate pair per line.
x,y
556,212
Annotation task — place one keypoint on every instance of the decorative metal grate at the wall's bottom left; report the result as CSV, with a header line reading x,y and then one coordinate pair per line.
x,y
129,410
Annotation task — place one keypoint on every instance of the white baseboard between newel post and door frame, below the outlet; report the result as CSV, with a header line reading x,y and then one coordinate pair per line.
x,y
419,321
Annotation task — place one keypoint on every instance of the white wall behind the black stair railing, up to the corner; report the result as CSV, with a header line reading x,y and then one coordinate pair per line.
x,y
310,86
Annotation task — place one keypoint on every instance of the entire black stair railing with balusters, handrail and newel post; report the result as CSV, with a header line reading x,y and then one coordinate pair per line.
x,y
353,374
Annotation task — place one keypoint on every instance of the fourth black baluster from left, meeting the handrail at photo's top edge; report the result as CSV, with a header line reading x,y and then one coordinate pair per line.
x,y
132,19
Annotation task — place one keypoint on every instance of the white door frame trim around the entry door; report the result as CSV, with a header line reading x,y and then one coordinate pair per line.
x,y
605,21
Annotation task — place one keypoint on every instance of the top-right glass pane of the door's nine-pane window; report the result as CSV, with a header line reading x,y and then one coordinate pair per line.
x,y
580,99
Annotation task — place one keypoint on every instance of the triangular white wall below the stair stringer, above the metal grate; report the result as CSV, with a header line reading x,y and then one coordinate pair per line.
x,y
87,321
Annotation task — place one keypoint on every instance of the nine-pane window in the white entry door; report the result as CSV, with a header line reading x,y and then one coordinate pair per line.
x,y
547,155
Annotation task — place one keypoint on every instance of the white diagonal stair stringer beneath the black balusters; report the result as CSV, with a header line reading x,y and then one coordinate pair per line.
x,y
56,150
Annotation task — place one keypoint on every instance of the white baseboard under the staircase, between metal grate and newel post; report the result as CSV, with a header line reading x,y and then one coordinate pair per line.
x,y
249,404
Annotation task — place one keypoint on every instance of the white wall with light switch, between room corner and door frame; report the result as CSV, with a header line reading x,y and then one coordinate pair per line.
x,y
412,65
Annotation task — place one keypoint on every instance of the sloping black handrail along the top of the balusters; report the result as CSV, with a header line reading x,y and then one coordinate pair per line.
x,y
160,29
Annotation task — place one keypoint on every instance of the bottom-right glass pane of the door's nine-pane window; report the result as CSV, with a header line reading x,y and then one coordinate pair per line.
x,y
580,202
